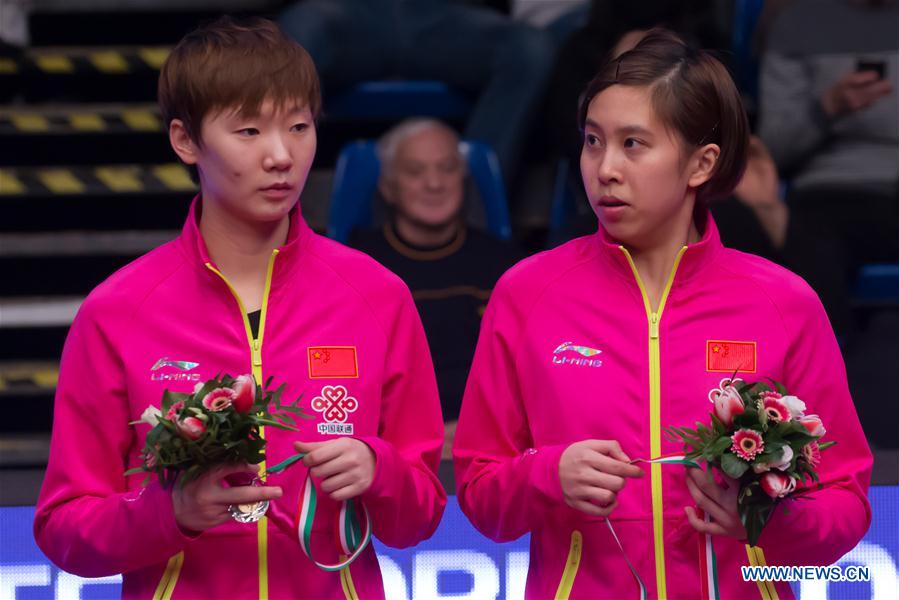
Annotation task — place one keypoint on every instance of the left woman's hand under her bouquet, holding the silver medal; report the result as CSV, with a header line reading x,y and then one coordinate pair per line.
x,y
203,503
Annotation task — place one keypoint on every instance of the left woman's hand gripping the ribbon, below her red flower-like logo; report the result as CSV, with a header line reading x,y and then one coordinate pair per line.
x,y
345,466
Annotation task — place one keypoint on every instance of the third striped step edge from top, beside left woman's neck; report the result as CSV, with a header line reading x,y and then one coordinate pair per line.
x,y
100,180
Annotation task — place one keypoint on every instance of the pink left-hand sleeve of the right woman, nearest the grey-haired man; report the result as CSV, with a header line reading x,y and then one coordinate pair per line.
x,y
505,485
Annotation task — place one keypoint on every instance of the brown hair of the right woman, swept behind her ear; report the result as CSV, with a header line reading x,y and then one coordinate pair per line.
x,y
693,94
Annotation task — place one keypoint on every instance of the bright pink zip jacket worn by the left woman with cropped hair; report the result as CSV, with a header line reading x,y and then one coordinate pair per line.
x,y
332,317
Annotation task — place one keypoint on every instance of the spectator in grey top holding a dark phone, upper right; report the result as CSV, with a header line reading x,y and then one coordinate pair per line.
x,y
830,115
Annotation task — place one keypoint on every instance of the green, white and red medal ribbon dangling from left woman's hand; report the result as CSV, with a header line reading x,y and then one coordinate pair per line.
x,y
354,536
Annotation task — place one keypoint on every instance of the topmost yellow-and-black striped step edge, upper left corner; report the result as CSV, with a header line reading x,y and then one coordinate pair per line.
x,y
72,61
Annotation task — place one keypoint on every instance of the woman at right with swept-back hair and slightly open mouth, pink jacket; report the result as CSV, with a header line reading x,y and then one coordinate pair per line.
x,y
589,350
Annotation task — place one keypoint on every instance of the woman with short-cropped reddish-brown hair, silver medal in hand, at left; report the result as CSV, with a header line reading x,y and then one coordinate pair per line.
x,y
246,287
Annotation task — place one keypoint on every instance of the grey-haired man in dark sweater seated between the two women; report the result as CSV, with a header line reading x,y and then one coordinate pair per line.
x,y
450,267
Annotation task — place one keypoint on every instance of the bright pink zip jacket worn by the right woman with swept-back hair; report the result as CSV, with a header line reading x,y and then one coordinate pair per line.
x,y
531,394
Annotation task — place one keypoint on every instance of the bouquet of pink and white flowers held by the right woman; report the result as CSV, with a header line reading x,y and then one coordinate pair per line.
x,y
761,437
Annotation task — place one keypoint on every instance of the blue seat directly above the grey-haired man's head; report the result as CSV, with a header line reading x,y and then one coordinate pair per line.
x,y
397,99
